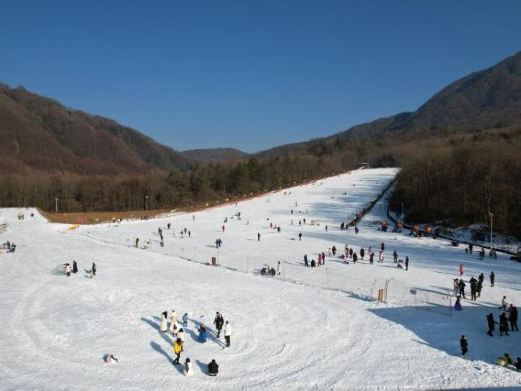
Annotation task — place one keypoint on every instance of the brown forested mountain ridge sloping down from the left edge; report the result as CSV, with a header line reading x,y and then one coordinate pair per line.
x,y
38,133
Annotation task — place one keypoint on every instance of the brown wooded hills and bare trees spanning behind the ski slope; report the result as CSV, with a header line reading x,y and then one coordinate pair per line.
x,y
459,154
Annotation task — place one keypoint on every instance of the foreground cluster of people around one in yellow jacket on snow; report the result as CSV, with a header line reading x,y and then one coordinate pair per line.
x,y
177,331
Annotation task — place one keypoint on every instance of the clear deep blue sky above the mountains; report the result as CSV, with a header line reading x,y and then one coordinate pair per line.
x,y
249,74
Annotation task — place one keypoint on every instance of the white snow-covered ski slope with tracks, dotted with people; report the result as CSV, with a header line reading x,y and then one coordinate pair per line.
x,y
304,329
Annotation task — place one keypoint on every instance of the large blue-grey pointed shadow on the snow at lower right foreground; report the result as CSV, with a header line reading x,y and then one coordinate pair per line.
x,y
439,328
